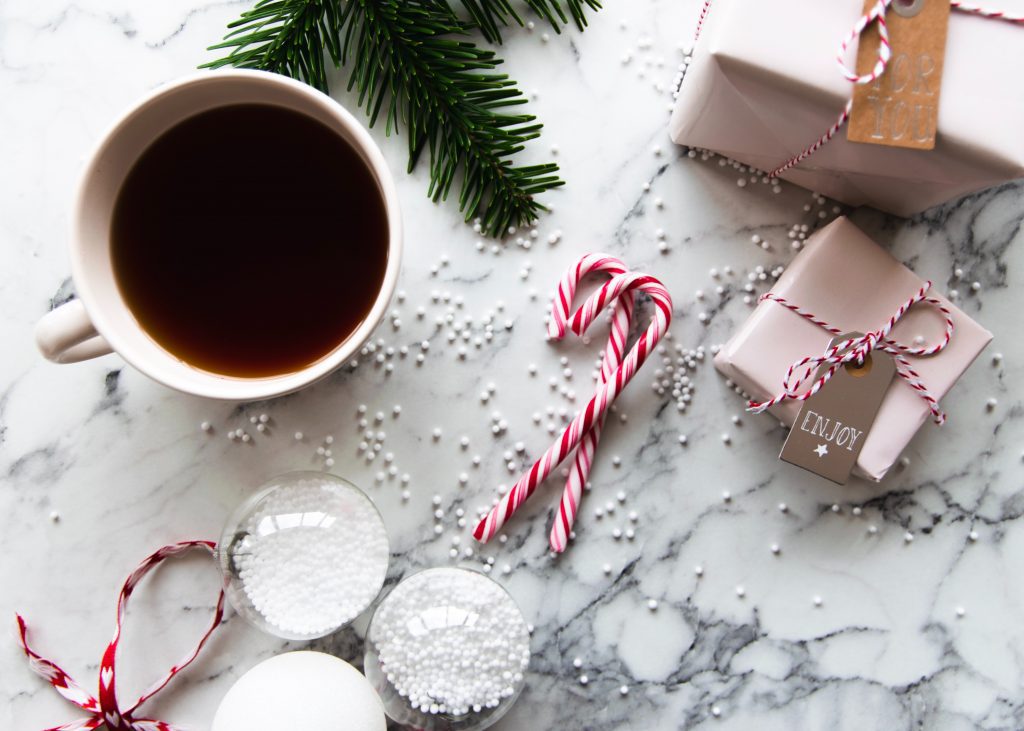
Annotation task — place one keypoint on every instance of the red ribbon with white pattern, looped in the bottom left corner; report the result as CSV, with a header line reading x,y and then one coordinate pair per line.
x,y
105,710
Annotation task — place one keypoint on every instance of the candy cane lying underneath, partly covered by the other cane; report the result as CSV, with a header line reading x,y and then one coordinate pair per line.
x,y
621,319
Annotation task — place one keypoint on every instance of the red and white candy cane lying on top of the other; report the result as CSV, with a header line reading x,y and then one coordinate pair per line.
x,y
600,404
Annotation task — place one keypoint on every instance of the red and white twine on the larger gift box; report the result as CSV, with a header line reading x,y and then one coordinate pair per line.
x,y
876,16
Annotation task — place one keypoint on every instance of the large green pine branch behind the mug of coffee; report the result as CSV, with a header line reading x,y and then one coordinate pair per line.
x,y
409,67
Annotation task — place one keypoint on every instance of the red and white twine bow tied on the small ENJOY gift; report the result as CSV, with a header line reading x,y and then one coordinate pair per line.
x,y
857,350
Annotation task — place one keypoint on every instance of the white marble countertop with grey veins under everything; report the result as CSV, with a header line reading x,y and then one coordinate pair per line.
x,y
123,467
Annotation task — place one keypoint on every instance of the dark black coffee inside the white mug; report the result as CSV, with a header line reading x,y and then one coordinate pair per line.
x,y
250,241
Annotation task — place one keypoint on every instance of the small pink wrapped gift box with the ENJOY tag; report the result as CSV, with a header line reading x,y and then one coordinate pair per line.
x,y
849,282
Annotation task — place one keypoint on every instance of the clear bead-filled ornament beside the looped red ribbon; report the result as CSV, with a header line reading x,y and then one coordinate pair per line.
x,y
305,556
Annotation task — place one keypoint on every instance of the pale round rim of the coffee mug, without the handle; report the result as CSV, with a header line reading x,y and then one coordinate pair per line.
x,y
214,385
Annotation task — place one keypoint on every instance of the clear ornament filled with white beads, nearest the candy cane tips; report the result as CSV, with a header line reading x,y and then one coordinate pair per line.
x,y
447,651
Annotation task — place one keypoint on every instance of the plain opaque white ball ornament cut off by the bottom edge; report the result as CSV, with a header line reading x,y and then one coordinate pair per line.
x,y
305,692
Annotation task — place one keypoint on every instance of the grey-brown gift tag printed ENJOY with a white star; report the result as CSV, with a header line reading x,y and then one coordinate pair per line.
x,y
832,426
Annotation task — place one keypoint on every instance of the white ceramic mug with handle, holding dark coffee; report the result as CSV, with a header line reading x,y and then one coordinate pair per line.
x,y
100,322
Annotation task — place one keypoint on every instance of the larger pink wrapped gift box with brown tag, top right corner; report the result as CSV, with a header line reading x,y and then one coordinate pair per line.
x,y
763,84
